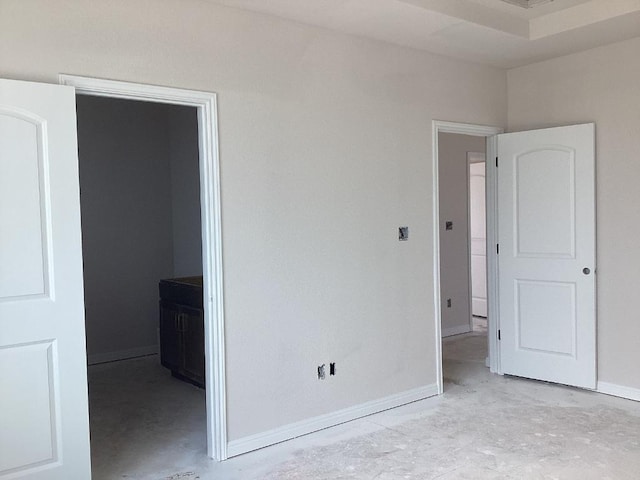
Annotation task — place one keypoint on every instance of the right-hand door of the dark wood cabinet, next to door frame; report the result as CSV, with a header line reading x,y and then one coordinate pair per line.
x,y
192,325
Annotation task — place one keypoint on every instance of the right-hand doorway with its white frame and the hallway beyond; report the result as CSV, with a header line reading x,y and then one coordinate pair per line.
x,y
465,322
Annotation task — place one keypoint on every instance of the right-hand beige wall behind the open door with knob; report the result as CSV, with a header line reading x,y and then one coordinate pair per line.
x,y
602,86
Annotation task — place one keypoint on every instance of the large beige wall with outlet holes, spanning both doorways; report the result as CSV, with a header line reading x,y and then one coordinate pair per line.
x,y
325,143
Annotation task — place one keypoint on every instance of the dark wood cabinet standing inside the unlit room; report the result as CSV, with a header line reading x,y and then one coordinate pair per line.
x,y
182,328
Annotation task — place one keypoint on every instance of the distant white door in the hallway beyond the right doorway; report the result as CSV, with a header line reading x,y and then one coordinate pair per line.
x,y
478,233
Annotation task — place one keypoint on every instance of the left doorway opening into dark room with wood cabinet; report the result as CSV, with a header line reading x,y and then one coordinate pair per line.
x,y
141,241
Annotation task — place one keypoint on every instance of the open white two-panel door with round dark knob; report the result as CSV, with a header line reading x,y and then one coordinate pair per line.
x,y
546,235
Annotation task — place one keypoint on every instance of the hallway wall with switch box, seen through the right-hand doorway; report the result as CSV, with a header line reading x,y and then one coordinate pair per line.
x,y
454,244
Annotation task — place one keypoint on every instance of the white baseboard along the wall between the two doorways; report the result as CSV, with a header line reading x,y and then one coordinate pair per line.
x,y
293,430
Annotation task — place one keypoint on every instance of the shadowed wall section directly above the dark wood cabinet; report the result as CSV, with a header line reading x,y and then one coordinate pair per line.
x,y
185,191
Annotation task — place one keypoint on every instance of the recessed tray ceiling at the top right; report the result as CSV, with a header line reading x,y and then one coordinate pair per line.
x,y
485,31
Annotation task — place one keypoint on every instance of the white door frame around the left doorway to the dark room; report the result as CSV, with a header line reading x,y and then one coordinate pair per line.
x,y
205,103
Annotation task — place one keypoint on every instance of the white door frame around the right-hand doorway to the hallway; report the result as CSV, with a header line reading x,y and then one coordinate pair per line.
x,y
492,232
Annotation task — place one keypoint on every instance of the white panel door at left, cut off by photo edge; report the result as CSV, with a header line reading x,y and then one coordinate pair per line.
x,y
44,423
